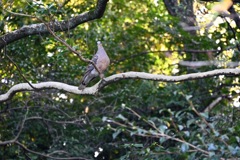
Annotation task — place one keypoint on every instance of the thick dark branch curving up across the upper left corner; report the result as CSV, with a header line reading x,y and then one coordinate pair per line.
x,y
55,26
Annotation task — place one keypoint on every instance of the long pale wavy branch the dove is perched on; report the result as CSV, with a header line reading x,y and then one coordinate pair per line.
x,y
114,78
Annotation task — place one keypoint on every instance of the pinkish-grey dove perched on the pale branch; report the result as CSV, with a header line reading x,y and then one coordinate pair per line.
x,y
101,61
